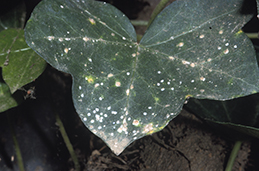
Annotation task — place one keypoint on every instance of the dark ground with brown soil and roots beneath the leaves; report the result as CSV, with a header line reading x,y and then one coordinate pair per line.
x,y
185,144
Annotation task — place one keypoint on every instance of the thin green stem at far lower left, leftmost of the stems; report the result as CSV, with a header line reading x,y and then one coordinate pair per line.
x,y
16,145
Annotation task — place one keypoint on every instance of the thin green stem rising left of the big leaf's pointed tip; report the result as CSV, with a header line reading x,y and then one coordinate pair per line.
x,y
68,143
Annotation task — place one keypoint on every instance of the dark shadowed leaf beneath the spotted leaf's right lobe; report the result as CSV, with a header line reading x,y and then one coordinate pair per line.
x,y
239,116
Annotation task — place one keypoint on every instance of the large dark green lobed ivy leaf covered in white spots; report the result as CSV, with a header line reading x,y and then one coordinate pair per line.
x,y
124,90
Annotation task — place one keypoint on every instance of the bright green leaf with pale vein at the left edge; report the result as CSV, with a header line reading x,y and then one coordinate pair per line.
x,y
20,64
